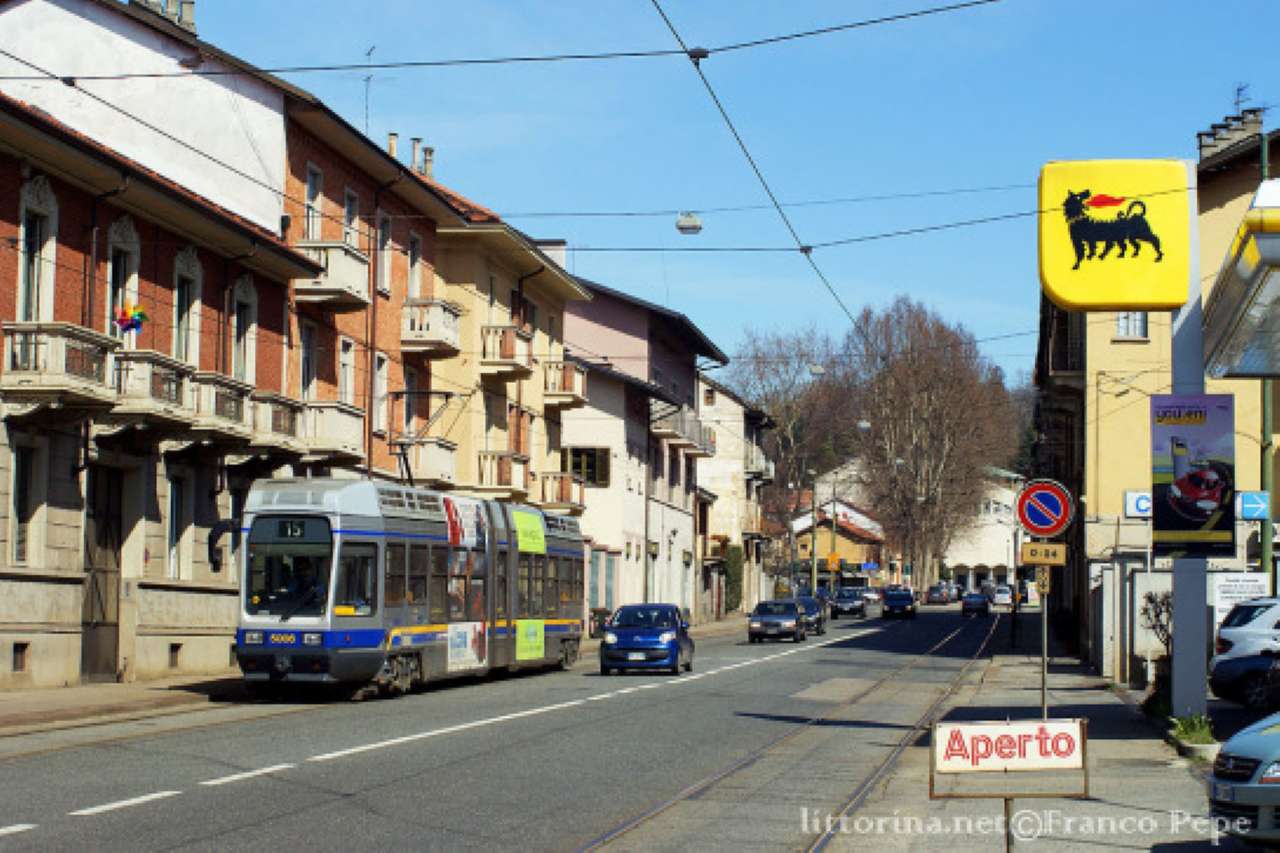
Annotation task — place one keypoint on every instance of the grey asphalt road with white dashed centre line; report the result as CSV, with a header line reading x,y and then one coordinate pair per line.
x,y
725,756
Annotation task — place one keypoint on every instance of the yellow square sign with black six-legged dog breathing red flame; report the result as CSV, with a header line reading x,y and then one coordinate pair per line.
x,y
1116,235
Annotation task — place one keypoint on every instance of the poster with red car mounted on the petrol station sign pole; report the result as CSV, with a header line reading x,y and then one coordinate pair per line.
x,y
1194,476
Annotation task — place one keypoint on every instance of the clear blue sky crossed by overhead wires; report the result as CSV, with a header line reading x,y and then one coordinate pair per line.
x,y
968,99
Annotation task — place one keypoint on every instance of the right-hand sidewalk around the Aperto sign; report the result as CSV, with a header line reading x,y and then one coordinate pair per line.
x,y
1142,793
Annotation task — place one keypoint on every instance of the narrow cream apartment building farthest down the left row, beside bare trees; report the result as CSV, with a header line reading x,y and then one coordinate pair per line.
x,y
737,476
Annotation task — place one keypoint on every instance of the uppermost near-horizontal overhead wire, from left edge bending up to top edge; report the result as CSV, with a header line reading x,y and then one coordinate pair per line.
x,y
520,60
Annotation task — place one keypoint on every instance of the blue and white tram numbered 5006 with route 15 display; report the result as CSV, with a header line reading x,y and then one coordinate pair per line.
x,y
359,582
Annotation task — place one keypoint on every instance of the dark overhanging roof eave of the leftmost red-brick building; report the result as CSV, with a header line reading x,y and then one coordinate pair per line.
x,y
292,262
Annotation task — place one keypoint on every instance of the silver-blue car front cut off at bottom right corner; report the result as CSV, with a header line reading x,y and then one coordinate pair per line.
x,y
1246,781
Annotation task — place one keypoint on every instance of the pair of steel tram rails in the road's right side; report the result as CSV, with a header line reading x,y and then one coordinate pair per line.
x,y
863,790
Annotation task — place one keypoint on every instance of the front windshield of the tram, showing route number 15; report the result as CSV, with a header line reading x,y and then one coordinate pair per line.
x,y
289,567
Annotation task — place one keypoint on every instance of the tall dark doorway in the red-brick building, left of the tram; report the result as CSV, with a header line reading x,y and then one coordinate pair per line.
x,y
100,614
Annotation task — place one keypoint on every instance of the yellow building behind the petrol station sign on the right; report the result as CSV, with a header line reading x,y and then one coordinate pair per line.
x,y
1096,375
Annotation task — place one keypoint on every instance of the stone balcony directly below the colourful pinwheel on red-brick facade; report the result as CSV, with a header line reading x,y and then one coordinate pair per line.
x,y
153,389
